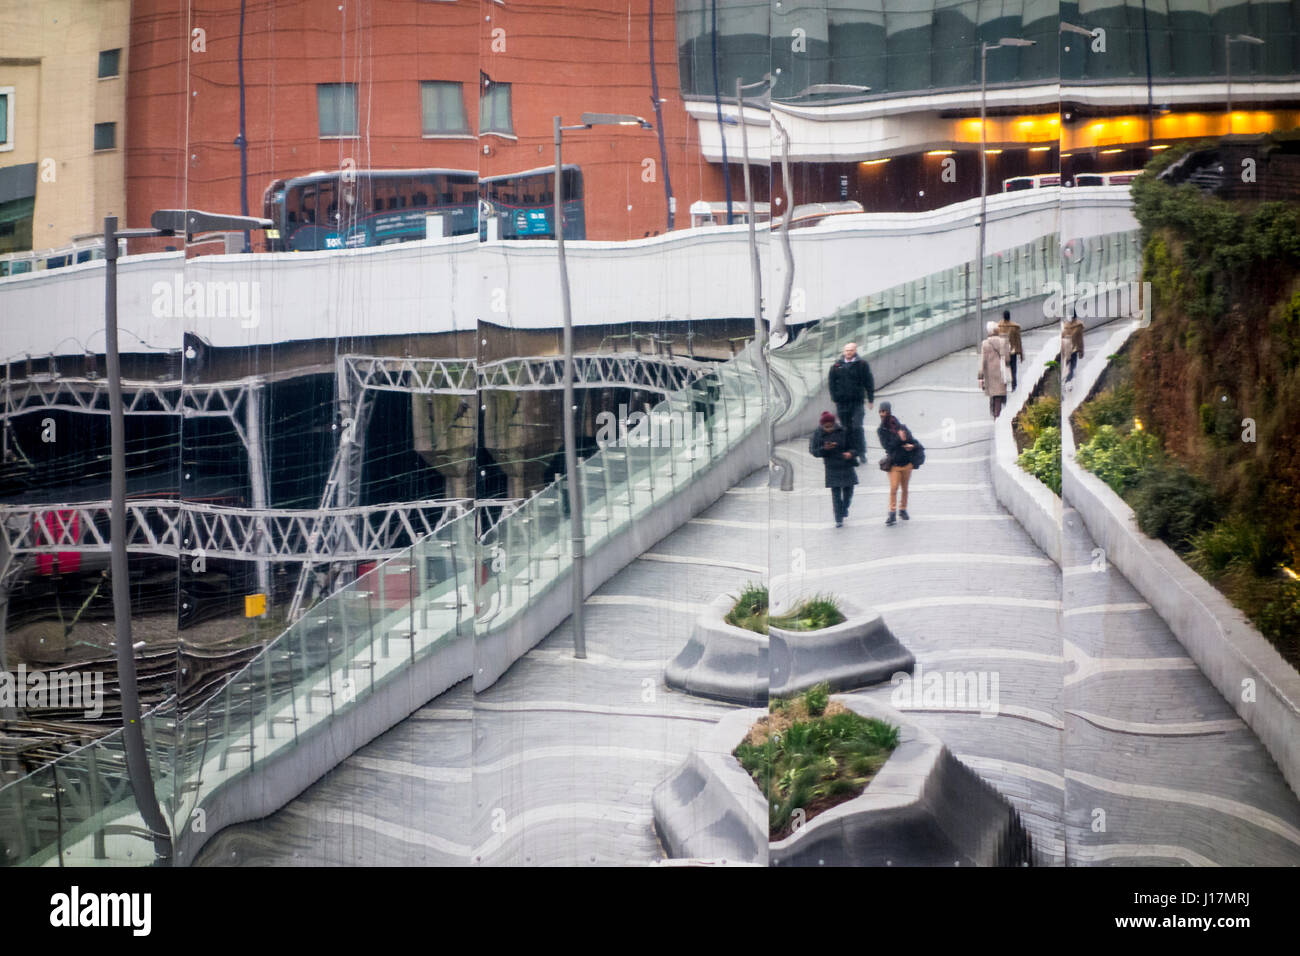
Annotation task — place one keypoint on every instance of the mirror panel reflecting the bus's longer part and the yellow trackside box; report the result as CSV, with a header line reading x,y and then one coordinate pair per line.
x,y
331,576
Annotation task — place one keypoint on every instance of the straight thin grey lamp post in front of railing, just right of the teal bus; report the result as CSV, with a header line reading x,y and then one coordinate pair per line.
x,y
578,530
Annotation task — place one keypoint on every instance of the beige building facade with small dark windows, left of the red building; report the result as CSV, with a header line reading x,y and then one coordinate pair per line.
x,y
63,119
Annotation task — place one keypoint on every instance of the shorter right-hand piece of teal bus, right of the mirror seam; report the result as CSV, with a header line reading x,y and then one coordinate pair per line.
x,y
523,205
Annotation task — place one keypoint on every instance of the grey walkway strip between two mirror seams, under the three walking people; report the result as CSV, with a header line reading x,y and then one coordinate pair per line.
x,y
960,585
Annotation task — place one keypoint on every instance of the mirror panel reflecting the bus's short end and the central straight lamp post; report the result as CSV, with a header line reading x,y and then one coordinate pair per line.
x,y
582,752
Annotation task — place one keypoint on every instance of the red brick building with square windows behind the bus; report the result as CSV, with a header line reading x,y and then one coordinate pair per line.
x,y
378,84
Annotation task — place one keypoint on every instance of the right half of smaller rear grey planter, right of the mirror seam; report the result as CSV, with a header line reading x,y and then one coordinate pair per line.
x,y
859,652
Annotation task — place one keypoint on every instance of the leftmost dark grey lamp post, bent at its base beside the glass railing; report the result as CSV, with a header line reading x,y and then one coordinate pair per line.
x,y
166,223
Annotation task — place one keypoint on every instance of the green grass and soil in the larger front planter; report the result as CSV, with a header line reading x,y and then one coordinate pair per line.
x,y
813,754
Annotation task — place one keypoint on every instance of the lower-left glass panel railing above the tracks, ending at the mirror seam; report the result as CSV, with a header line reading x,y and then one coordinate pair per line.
x,y
81,810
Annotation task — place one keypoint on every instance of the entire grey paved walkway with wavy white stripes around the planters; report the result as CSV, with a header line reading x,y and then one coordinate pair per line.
x,y
1104,736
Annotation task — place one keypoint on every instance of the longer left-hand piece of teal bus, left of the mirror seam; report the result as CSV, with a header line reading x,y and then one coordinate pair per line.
x,y
348,209
